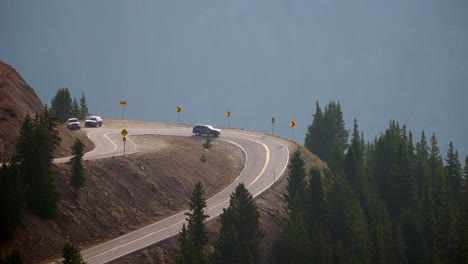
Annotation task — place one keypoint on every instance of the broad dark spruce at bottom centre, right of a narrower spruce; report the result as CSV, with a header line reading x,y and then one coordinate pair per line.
x,y
240,233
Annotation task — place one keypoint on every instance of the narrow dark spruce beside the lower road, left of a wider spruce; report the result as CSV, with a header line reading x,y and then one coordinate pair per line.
x,y
197,234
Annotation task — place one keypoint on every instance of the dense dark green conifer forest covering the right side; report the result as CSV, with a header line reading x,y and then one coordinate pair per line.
x,y
389,200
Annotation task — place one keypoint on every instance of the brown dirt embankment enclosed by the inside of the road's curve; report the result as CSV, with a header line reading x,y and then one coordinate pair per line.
x,y
122,194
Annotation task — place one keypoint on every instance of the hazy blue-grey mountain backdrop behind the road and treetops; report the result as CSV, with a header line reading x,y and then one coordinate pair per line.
x,y
383,60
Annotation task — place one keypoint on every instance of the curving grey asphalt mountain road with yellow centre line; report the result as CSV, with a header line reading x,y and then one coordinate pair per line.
x,y
267,158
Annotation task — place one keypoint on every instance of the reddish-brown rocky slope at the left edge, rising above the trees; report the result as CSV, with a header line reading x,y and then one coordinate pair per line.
x,y
17,99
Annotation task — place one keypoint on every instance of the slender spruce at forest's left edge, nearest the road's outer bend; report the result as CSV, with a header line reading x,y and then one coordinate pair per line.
x,y
296,191
